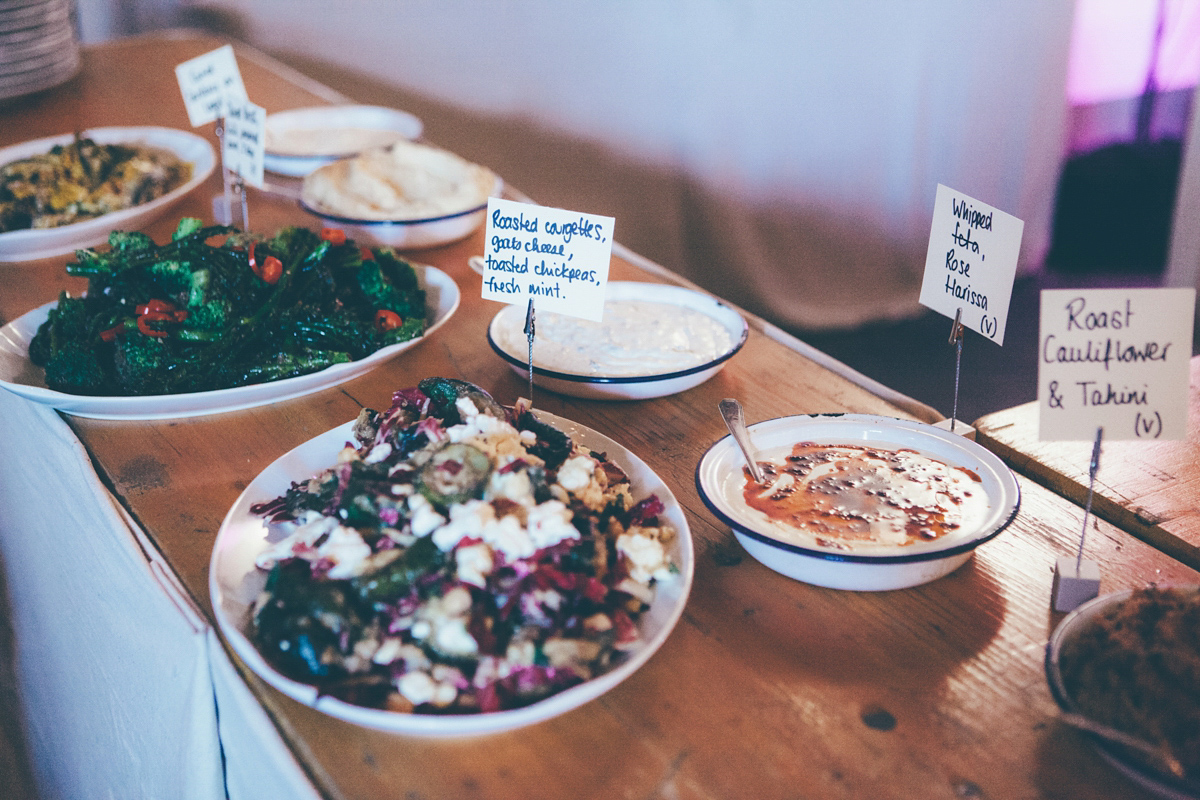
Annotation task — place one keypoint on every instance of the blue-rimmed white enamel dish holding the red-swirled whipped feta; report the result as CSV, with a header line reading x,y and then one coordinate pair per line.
x,y
721,483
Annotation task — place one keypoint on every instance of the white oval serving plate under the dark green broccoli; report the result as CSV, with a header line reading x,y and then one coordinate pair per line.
x,y
21,377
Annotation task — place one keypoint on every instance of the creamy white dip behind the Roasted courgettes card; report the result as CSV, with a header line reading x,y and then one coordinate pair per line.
x,y
637,338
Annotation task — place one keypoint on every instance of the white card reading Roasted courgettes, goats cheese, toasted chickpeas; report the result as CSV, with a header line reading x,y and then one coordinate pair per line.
x,y
555,257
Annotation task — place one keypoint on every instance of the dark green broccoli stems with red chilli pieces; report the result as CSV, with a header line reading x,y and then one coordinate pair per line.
x,y
217,309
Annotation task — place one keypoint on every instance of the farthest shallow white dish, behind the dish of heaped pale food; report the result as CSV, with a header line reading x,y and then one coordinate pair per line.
x,y
287,159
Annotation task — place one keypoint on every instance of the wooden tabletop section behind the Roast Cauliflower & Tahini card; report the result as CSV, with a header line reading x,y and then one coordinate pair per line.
x,y
1149,489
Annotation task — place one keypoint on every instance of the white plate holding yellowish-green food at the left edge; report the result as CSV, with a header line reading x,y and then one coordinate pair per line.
x,y
28,245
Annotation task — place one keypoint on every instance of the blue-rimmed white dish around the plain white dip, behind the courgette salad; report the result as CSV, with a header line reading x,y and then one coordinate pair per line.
x,y
625,387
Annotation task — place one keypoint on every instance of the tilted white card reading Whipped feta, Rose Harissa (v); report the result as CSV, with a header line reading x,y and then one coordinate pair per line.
x,y
971,262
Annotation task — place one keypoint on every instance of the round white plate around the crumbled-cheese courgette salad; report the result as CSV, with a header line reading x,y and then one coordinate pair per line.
x,y
235,582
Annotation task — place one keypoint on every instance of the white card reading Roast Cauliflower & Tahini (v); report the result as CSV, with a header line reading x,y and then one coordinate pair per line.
x,y
1114,359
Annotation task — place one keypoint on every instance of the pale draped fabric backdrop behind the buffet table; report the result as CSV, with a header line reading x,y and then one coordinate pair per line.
x,y
806,140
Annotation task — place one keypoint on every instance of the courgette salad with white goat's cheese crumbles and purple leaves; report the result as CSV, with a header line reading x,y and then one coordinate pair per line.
x,y
464,557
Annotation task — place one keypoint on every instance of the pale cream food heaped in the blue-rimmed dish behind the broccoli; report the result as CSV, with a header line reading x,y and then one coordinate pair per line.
x,y
405,181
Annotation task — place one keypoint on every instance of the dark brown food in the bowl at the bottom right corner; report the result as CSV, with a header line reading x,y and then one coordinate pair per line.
x,y
1137,669
